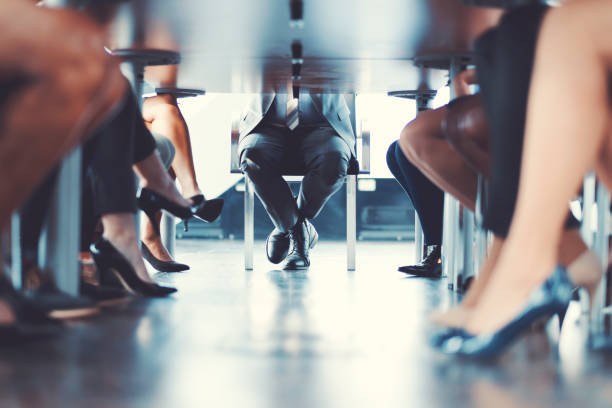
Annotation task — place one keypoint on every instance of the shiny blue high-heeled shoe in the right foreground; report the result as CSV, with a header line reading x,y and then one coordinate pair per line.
x,y
550,298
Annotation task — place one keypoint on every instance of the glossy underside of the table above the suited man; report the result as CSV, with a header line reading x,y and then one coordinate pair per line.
x,y
348,45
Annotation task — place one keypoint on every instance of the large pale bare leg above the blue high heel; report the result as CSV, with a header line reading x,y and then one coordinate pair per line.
x,y
565,137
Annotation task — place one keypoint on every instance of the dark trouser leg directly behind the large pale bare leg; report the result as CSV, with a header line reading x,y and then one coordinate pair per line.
x,y
504,61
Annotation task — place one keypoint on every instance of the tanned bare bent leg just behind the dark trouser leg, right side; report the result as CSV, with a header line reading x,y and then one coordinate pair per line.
x,y
424,144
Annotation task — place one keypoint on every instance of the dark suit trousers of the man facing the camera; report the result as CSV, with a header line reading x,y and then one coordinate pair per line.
x,y
317,152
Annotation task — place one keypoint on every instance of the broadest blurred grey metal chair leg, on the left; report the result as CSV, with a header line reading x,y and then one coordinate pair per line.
x,y
62,236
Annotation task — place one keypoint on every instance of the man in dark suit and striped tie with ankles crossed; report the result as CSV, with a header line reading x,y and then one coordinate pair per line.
x,y
309,134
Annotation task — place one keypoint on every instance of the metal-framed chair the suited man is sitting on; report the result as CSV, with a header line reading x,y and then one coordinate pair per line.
x,y
355,168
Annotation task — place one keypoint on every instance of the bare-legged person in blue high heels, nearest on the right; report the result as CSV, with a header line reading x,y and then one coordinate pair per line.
x,y
567,133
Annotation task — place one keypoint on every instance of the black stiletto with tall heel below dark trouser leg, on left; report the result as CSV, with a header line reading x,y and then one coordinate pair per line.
x,y
114,268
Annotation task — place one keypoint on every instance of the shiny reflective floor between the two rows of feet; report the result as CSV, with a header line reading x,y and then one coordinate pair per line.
x,y
268,338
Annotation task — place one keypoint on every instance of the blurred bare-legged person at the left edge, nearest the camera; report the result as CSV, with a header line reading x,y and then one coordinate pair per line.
x,y
66,63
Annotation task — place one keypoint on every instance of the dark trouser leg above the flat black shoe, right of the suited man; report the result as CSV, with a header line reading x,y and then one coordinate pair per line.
x,y
426,197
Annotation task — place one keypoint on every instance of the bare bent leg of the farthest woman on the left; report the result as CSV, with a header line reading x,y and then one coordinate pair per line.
x,y
164,118
